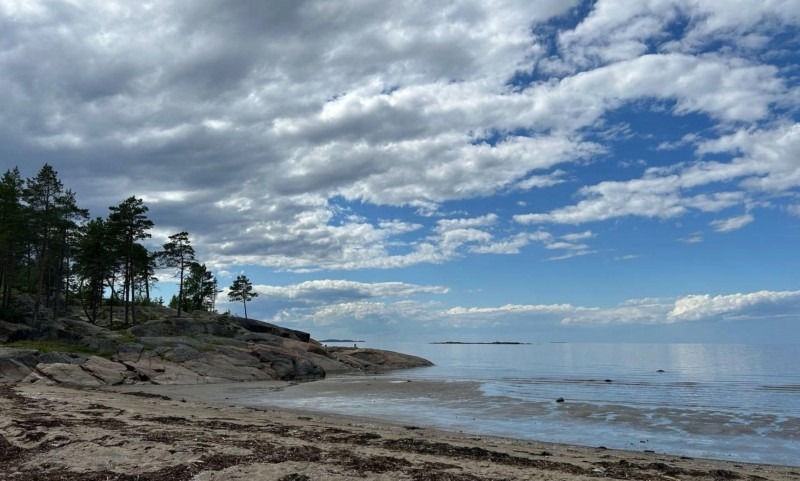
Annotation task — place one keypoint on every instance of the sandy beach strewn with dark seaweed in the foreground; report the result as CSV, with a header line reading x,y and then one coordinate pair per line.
x,y
168,433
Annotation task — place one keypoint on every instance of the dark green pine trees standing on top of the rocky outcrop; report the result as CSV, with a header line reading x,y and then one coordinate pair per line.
x,y
53,250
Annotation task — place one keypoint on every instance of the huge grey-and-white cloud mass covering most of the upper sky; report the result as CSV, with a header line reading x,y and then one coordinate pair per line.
x,y
268,132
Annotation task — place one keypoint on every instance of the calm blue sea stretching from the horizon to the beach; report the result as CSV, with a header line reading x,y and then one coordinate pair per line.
x,y
718,401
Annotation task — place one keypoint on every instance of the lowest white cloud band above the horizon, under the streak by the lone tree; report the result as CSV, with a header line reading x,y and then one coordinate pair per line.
x,y
753,307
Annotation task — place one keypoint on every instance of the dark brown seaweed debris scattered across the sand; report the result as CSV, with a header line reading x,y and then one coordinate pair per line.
x,y
330,446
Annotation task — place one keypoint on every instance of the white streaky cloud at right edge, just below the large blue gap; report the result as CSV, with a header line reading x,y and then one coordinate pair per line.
x,y
764,166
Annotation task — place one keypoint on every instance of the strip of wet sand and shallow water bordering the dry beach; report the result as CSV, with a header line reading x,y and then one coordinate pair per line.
x,y
454,406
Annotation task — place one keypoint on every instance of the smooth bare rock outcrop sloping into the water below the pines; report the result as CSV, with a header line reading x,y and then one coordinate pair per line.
x,y
203,348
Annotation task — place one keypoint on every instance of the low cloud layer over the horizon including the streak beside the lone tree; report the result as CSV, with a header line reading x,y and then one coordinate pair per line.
x,y
337,306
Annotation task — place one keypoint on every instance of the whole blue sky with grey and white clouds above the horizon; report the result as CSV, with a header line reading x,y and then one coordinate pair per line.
x,y
475,170
